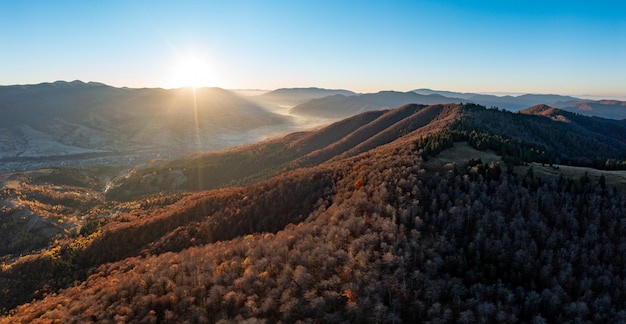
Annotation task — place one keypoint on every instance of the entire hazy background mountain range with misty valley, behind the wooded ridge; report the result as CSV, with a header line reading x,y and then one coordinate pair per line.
x,y
93,124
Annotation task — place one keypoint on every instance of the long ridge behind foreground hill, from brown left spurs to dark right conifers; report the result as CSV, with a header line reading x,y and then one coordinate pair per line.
x,y
525,136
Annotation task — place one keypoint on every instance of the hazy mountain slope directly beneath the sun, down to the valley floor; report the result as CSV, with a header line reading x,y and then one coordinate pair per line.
x,y
91,121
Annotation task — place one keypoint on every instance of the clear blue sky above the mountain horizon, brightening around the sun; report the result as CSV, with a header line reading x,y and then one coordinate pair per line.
x,y
566,47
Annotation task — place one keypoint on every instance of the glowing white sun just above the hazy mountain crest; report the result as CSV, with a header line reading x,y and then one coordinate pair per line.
x,y
192,72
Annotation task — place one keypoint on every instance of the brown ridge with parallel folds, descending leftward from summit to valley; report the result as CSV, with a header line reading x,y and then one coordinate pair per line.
x,y
247,164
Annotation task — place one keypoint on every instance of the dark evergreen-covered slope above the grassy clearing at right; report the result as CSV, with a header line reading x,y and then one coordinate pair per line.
x,y
581,141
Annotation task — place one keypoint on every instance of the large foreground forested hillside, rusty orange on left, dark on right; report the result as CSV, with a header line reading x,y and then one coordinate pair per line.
x,y
413,217
